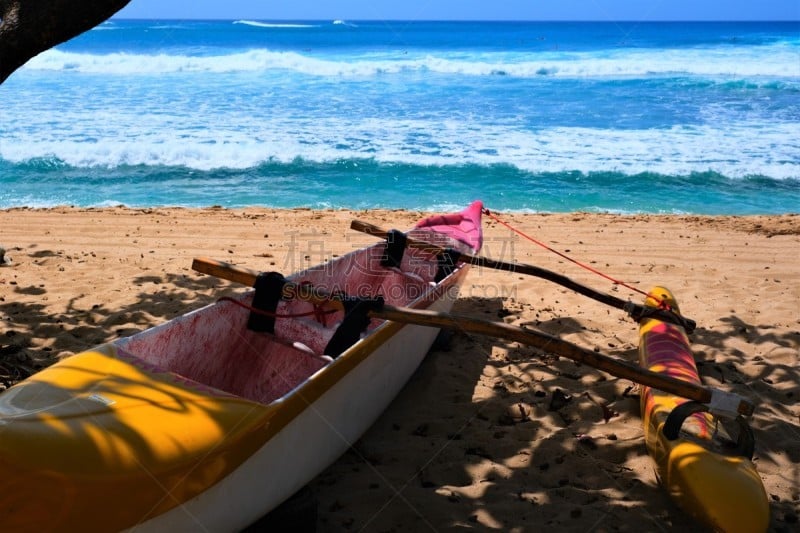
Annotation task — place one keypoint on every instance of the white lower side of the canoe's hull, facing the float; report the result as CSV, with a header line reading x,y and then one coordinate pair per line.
x,y
315,438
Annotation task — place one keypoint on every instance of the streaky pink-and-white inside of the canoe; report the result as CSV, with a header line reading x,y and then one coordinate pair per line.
x,y
213,346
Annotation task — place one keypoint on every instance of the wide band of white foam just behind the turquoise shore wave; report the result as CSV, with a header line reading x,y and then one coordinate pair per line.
x,y
735,150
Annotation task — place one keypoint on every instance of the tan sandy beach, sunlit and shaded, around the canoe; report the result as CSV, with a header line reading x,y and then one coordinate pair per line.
x,y
473,442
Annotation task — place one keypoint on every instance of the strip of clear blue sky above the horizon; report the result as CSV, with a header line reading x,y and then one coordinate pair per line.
x,y
640,10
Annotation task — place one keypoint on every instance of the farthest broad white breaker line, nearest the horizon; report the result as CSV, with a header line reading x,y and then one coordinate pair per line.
x,y
767,61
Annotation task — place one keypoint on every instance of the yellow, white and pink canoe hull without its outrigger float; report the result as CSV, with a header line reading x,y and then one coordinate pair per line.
x,y
212,419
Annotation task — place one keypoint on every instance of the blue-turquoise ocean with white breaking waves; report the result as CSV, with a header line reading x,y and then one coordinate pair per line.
x,y
653,117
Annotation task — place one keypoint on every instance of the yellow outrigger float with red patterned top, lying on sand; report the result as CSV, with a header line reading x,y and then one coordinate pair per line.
x,y
718,486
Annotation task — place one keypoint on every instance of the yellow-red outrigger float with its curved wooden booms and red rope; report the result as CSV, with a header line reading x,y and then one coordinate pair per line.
x,y
718,487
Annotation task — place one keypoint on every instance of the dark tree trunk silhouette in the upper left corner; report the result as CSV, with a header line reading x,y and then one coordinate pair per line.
x,y
29,27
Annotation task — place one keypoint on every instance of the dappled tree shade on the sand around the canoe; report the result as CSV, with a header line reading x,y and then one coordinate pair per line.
x,y
536,437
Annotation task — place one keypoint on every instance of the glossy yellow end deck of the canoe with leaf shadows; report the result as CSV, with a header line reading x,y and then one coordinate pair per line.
x,y
115,425
